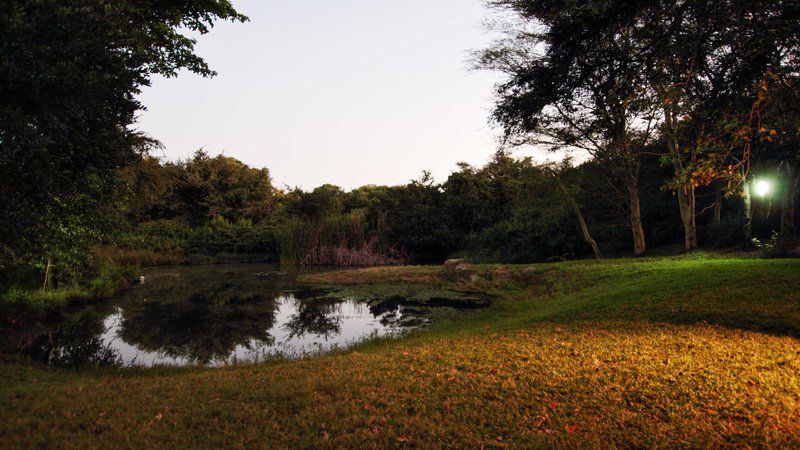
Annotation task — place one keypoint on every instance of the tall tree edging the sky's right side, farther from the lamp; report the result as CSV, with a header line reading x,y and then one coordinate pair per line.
x,y
571,86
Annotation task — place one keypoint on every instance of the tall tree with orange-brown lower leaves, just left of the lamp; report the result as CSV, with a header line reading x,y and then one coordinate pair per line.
x,y
705,65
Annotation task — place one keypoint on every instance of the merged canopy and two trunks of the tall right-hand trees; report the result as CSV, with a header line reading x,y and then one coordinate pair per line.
x,y
614,77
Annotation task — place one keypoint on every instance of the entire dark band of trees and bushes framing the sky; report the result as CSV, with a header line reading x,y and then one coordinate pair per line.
x,y
684,113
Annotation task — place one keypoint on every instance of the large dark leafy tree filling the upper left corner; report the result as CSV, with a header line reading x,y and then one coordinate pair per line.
x,y
69,75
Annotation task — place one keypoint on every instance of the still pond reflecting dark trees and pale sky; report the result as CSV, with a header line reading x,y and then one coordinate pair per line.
x,y
218,315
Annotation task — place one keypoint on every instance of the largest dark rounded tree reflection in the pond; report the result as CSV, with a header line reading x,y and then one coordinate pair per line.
x,y
202,319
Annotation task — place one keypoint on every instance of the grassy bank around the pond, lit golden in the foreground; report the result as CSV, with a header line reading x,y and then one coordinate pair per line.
x,y
699,352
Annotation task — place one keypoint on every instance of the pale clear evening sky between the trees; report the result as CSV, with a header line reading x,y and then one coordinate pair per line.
x,y
348,92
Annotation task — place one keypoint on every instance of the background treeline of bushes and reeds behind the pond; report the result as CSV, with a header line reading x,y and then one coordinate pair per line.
x,y
509,210
